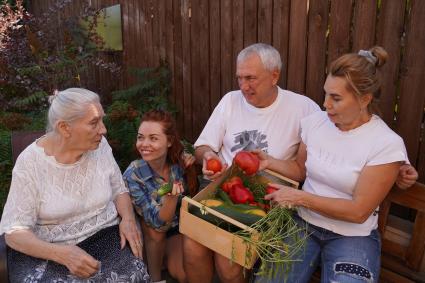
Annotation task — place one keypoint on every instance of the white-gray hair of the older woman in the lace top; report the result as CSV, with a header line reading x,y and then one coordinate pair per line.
x,y
68,105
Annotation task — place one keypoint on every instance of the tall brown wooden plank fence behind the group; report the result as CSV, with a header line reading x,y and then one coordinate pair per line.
x,y
200,40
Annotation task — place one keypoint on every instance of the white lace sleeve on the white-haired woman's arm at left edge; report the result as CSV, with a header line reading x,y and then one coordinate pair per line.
x,y
20,211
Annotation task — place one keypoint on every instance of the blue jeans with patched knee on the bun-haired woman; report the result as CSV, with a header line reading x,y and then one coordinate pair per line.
x,y
342,258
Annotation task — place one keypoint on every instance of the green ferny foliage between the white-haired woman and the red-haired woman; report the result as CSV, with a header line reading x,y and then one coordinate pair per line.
x,y
151,91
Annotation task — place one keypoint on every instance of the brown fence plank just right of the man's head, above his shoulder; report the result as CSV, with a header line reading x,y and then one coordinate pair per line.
x,y
297,46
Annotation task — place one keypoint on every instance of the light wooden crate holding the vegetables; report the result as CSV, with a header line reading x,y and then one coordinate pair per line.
x,y
215,238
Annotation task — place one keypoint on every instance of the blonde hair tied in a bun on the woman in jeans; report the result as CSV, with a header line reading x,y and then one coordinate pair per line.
x,y
360,70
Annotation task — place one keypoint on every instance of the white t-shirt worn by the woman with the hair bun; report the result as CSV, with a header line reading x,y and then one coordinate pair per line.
x,y
335,160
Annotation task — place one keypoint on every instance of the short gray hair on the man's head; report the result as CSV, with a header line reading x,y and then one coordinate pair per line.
x,y
269,56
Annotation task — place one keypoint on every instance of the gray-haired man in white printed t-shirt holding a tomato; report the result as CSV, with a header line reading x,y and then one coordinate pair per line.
x,y
259,115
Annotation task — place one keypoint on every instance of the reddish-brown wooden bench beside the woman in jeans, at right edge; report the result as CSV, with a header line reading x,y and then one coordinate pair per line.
x,y
403,241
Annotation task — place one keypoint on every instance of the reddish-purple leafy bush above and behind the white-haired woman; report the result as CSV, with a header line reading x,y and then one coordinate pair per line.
x,y
36,59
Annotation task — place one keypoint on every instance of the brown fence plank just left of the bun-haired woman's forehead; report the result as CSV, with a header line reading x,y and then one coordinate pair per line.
x,y
316,50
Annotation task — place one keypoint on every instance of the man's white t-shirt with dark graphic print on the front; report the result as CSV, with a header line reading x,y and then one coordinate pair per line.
x,y
236,125
